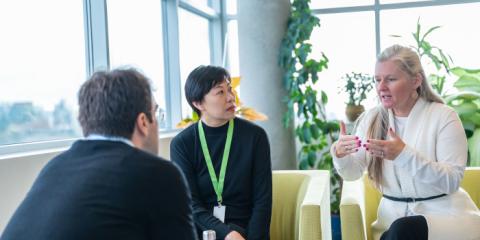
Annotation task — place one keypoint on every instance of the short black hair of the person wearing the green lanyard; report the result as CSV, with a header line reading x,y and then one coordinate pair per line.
x,y
201,80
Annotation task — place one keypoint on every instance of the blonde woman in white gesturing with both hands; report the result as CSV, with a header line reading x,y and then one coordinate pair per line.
x,y
415,151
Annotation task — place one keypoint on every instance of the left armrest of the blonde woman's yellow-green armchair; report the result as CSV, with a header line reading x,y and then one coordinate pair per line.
x,y
352,210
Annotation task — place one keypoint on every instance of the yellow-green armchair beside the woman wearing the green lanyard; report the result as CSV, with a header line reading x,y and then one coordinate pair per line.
x,y
300,205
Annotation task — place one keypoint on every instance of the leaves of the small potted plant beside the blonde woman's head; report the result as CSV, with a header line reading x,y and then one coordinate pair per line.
x,y
357,85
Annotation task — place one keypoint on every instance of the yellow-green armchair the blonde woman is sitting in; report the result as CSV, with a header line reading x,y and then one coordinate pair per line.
x,y
359,202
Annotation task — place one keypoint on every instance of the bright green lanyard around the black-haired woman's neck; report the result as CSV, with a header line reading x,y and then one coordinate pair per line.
x,y
217,184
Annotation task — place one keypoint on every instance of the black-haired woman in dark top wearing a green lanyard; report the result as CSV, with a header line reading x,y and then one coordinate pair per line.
x,y
226,161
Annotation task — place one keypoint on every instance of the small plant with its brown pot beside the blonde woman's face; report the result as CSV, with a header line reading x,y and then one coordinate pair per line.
x,y
357,86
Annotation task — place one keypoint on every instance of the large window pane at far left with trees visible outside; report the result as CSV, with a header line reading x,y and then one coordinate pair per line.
x,y
43,65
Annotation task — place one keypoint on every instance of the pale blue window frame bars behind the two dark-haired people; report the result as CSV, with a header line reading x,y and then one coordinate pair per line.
x,y
97,58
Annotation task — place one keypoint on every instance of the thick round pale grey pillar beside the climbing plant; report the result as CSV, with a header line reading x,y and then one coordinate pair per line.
x,y
261,27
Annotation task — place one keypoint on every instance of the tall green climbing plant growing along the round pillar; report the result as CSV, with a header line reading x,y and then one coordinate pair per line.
x,y
313,130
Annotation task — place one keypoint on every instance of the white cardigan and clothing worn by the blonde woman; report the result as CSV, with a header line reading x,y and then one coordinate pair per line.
x,y
432,163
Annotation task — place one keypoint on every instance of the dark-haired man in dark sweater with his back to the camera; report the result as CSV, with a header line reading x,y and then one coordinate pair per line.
x,y
110,185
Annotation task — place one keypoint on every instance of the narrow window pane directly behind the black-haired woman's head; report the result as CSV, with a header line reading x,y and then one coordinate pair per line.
x,y
194,44
